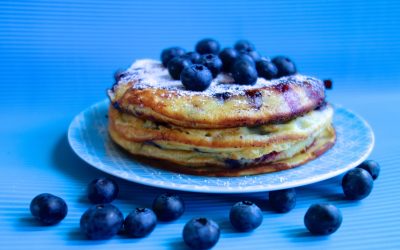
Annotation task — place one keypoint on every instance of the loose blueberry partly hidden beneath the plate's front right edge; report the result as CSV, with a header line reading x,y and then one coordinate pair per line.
x,y
282,201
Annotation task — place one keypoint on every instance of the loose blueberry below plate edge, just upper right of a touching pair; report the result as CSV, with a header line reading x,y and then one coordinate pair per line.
x,y
168,207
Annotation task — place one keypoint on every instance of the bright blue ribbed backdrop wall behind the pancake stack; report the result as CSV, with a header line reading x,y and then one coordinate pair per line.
x,y
56,51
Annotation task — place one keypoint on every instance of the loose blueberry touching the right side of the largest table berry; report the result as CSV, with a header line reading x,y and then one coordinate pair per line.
x,y
140,222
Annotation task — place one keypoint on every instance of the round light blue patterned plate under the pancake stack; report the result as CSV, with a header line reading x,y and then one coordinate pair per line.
x,y
89,139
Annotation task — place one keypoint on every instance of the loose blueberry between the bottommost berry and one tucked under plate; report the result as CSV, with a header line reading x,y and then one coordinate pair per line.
x,y
245,216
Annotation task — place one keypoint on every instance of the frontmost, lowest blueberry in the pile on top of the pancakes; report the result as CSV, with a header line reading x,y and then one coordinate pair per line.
x,y
196,77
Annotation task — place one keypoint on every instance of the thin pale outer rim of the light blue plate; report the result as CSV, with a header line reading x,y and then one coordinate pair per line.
x,y
223,190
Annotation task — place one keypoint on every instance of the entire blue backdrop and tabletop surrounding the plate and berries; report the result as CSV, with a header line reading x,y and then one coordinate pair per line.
x,y
58,57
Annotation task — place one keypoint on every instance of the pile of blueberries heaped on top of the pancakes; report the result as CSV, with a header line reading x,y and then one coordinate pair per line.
x,y
197,69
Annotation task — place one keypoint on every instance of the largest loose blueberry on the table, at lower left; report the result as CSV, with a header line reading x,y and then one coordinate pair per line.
x,y
101,222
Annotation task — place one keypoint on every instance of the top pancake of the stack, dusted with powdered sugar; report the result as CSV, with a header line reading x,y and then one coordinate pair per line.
x,y
147,91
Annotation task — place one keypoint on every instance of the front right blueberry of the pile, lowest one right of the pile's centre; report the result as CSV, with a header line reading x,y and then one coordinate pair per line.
x,y
244,72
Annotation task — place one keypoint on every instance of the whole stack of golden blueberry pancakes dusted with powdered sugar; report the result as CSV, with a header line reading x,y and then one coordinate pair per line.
x,y
226,130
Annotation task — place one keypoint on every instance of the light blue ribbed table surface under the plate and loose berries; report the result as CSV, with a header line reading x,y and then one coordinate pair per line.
x,y
36,158
